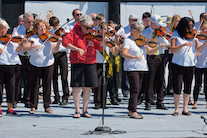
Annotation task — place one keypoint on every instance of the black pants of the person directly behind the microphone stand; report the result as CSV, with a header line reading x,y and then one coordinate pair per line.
x,y
98,91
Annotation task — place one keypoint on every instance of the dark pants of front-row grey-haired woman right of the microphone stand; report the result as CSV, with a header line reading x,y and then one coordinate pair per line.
x,y
135,82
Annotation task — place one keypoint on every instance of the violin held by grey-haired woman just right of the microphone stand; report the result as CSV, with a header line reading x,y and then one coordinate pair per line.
x,y
143,41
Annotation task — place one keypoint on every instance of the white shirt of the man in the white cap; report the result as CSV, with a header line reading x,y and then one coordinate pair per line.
x,y
149,34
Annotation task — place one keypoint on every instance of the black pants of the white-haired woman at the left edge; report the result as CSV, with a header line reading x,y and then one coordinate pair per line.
x,y
7,77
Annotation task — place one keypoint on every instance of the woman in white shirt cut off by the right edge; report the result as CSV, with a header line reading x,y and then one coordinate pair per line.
x,y
201,66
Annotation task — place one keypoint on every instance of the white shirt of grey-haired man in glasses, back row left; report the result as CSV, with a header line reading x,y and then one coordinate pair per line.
x,y
20,32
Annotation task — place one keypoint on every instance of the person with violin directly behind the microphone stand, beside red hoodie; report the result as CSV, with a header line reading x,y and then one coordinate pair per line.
x,y
98,91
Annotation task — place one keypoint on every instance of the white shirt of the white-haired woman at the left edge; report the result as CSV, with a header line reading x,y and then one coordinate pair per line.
x,y
9,56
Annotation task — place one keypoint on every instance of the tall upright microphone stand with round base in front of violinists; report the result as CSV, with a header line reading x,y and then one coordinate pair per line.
x,y
103,128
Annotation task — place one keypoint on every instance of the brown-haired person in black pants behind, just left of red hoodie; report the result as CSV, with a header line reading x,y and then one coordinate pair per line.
x,y
61,60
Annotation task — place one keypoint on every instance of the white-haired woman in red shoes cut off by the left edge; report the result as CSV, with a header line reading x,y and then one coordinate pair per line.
x,y
8,59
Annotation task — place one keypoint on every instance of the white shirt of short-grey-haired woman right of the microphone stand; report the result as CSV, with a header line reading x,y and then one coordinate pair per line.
x,y
133,49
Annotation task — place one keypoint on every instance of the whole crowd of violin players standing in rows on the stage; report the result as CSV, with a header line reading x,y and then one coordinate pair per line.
x,y
139,52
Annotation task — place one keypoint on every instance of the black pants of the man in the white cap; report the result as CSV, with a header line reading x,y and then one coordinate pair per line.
x,y
155,78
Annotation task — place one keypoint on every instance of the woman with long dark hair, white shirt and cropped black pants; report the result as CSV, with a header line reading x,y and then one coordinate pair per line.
x,y
183,62
